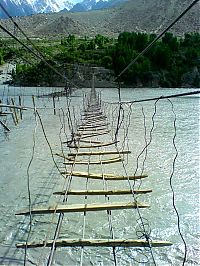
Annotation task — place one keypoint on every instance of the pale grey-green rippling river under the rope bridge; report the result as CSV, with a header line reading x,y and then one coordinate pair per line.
x,y
16,149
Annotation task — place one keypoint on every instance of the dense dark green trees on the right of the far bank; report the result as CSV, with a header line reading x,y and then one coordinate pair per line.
x,y
169,60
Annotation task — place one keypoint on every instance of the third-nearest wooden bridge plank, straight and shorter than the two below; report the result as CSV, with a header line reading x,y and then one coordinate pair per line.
x,y
102,192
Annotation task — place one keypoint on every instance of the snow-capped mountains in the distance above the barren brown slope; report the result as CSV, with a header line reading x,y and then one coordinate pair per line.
x,y
28,7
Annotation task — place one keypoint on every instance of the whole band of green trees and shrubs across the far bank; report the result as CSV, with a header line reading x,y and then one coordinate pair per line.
x,y
171,62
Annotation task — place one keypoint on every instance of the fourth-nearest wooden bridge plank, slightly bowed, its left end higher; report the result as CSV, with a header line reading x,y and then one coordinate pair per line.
x,y
103,176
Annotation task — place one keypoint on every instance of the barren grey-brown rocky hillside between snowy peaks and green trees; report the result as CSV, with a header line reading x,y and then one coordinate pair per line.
x,y
134,15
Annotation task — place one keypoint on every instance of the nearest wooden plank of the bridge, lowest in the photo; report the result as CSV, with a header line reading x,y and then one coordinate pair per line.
x,y
95,243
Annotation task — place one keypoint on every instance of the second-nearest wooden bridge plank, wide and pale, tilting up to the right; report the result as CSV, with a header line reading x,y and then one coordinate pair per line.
x,y
84,207
